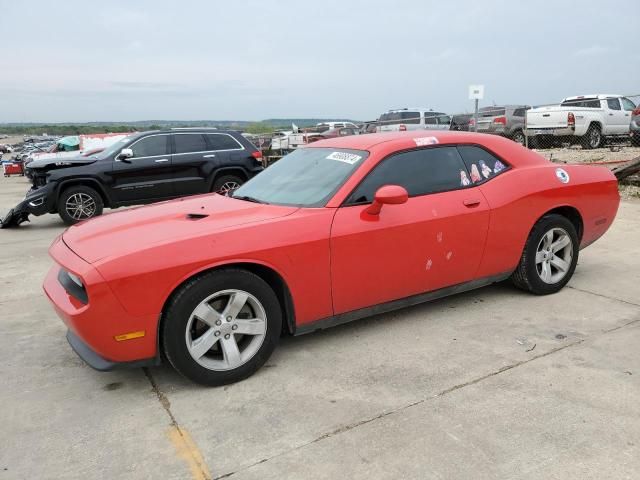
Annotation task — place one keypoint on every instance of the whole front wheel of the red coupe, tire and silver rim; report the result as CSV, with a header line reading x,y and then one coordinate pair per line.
x,y
221,327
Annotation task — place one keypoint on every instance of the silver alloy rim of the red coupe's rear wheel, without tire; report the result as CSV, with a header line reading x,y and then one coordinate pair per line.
x,y
554,255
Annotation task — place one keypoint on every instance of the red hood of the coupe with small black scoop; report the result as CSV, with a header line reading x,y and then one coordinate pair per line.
x,y
128,231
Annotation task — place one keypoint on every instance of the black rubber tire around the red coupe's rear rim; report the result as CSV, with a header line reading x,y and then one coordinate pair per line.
x,y
526,276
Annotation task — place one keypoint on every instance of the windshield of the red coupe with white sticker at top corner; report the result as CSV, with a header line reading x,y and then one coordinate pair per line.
x,y
308,177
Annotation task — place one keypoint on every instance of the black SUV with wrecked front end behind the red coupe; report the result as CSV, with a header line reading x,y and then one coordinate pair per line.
x,y
144,167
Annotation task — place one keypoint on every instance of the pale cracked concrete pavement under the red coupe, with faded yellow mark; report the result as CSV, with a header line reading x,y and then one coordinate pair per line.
x,y
493,383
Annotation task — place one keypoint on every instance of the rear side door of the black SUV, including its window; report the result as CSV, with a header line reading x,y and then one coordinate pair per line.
x,y
190,159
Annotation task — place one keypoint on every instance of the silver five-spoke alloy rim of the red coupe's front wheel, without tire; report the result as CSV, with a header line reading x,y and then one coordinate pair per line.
x,y
226,330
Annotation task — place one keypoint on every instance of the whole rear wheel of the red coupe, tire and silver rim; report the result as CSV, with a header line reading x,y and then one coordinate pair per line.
x,y
549,257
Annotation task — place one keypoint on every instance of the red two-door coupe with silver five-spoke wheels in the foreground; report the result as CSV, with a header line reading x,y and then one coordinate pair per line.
x,y
337,231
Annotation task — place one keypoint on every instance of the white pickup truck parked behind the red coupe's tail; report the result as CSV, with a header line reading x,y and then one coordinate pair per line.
x,y
586,119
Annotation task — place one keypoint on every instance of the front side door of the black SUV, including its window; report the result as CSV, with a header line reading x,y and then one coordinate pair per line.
x,y
147,175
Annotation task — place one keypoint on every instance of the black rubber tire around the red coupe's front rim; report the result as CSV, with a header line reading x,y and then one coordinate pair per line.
x,y
175,321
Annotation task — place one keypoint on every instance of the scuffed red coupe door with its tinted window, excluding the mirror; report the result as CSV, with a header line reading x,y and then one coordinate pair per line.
x,y
434,240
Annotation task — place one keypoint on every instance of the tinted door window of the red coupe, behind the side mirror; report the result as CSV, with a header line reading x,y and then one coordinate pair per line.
x,y
421,172
